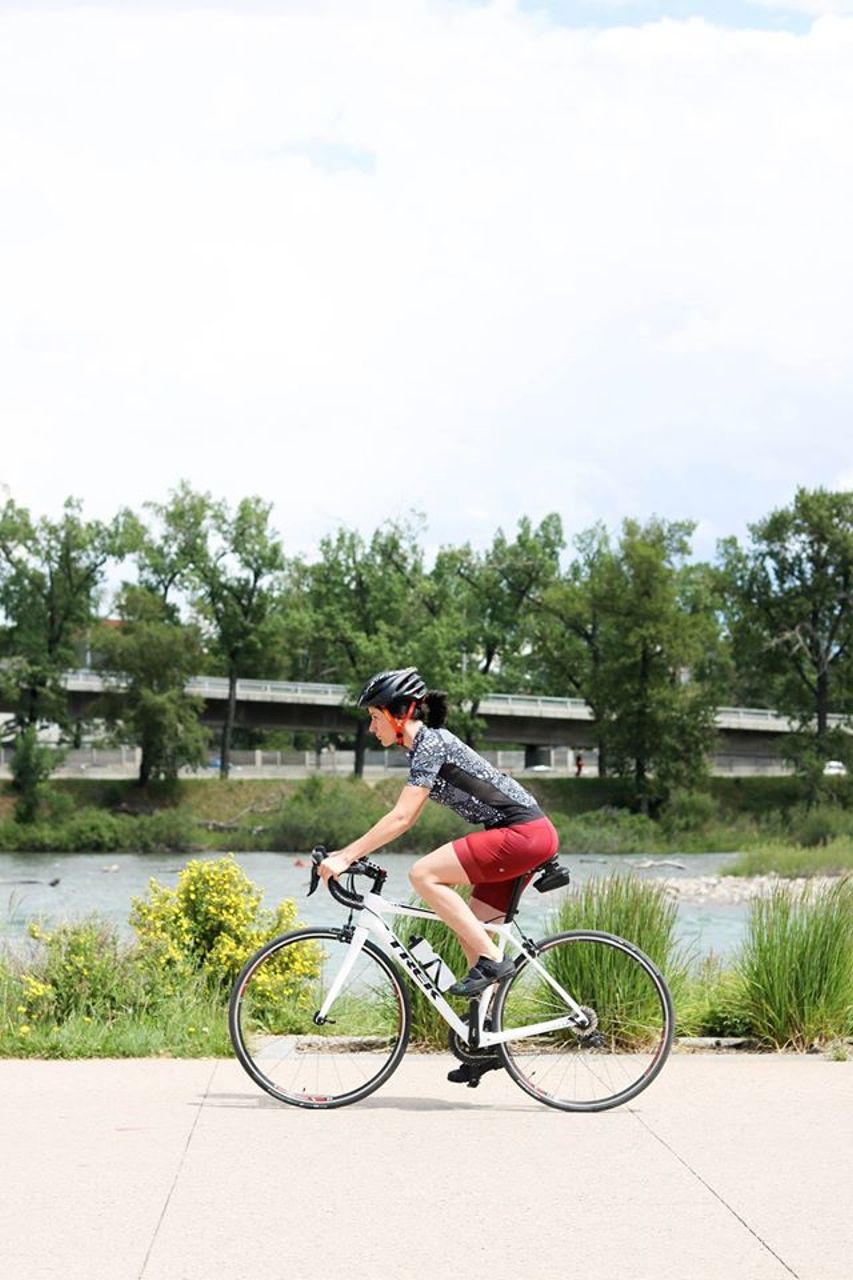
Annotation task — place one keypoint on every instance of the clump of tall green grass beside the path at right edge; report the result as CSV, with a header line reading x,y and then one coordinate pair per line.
x,y
796,967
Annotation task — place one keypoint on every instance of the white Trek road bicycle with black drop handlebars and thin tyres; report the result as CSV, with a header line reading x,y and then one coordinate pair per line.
x,y
321,1017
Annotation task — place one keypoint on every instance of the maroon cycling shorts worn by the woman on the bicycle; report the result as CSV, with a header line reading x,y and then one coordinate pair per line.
x,y
492,860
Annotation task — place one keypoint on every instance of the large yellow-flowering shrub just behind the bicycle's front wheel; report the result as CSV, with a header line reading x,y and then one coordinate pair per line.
x,y
212,922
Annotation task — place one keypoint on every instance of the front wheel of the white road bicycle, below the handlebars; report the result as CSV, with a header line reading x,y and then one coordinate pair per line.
x,y
275,1035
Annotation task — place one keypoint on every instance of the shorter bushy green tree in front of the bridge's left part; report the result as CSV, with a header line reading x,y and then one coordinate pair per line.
x,y
149,659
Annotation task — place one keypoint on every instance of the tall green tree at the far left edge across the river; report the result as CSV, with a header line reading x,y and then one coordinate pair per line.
x,y
51,579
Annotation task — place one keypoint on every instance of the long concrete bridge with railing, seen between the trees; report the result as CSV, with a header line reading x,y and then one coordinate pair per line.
x,y
532,721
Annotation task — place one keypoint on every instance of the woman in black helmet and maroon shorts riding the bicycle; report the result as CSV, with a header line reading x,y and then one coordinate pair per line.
x,y
517,836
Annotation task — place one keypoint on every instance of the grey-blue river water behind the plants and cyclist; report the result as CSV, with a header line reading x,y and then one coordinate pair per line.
x,y
57,888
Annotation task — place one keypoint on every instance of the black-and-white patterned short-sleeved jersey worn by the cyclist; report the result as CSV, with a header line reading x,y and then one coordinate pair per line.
x,y
463,780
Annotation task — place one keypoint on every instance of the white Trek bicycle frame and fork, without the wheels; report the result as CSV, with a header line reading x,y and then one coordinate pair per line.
x,y
373,925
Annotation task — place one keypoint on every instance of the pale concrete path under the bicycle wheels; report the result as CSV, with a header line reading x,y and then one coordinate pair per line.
x,y
738,1168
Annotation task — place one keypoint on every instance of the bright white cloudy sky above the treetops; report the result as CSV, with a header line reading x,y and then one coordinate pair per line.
x,y
476,259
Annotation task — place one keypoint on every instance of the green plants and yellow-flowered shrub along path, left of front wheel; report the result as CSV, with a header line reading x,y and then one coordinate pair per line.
x,y
83,993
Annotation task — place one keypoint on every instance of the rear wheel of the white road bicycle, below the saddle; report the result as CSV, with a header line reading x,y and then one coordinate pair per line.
x,y
609,1053
